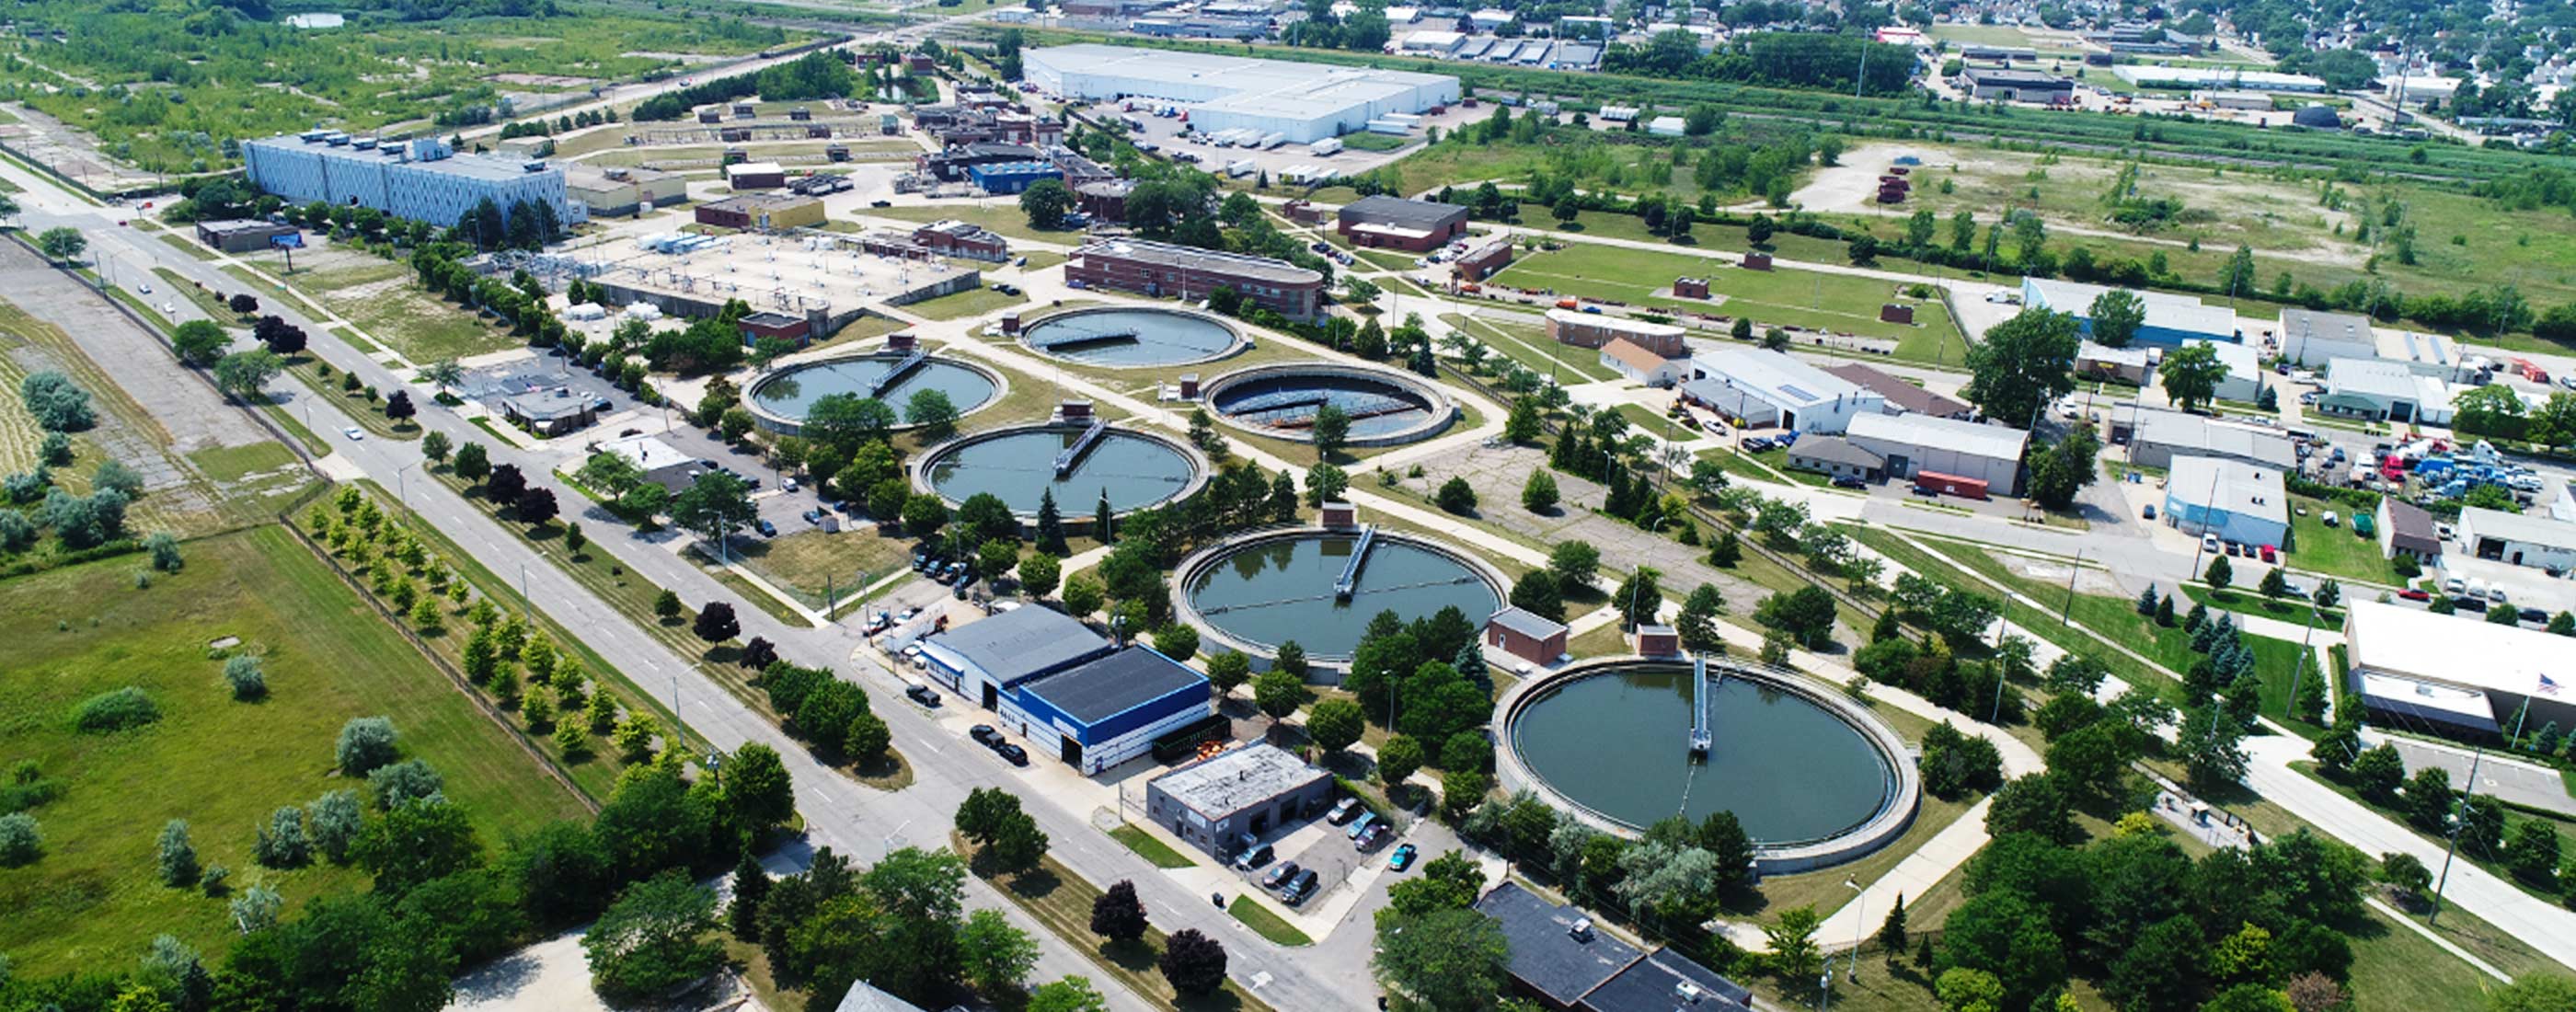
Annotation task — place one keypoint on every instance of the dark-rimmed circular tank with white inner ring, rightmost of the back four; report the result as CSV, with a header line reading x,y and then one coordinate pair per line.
x,y
1385,408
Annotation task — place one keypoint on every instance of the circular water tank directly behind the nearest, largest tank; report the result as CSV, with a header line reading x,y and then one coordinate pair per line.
x,y
1279,586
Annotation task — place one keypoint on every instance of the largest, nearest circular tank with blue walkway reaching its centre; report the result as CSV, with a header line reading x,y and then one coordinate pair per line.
x,y
1810,776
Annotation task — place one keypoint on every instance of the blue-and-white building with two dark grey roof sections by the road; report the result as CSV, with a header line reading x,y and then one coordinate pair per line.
x,y
1063,686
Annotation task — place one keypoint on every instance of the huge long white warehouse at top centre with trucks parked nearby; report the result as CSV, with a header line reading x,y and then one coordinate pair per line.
x,y
1271,97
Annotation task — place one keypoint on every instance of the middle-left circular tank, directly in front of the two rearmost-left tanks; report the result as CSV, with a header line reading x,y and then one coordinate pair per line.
x,y
1027,462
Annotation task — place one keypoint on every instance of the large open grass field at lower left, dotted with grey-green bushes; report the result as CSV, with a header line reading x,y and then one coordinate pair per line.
x,y
94,897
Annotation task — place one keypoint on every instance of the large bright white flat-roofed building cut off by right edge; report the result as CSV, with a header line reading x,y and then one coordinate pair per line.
x,y
2410,666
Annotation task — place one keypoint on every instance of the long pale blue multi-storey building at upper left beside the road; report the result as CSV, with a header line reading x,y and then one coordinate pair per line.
x,y
419,182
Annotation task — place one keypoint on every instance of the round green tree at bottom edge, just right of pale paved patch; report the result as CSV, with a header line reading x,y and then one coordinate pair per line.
x,y
653,939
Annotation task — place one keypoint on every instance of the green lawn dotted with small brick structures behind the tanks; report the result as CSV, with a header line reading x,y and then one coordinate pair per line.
x,y
1771,297
